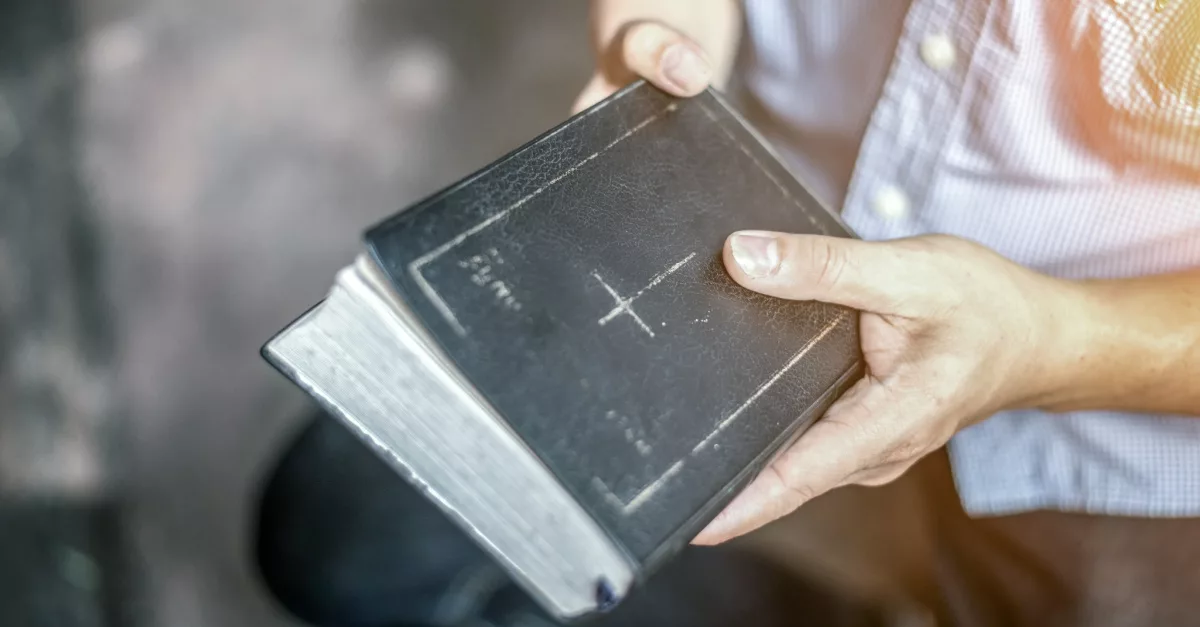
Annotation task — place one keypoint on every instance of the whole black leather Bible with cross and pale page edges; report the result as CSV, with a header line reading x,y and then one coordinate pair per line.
x,y
554,353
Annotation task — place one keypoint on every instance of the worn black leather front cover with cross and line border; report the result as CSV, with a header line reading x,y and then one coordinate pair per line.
x,y
578,283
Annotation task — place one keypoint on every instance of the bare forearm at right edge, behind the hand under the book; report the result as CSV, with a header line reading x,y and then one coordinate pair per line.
x,y
1130,345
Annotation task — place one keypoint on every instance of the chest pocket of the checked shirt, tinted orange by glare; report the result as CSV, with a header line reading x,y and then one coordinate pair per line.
x,y
1137,74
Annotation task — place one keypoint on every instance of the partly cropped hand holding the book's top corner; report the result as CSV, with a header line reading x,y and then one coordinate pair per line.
x,y
680,46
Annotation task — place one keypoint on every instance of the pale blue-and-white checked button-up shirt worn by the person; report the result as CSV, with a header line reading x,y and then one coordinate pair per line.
x,y
1061,134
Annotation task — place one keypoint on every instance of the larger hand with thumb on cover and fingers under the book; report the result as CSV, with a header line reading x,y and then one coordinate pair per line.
x,y
951,332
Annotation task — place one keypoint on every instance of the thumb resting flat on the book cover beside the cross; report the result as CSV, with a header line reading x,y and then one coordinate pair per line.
x,y
878,277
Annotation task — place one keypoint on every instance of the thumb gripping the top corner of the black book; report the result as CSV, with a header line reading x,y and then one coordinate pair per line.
x,y
665,58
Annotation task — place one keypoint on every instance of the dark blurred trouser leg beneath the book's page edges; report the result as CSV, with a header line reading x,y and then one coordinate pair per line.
x,y
344,540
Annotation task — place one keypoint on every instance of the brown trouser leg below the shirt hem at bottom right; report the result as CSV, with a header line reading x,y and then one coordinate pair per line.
x,y
1060,570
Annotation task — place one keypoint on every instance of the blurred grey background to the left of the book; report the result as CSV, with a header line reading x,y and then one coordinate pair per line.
x,y
178,181
